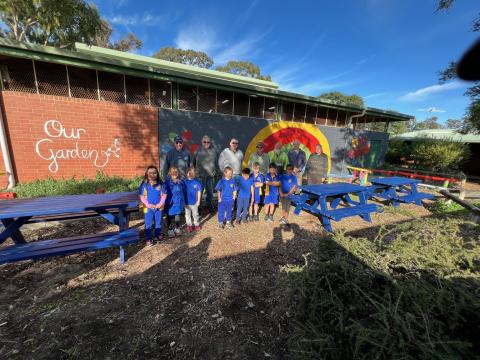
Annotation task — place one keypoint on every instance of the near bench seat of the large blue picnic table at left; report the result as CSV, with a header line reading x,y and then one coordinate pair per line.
x,y
64,246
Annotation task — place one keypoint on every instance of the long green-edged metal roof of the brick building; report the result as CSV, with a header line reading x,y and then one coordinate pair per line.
x,y
138,65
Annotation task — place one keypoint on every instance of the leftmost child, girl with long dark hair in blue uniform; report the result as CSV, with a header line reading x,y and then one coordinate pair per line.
x,y
152,194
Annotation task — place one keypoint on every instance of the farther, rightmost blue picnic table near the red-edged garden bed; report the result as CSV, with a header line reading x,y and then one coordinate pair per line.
x,y
397,190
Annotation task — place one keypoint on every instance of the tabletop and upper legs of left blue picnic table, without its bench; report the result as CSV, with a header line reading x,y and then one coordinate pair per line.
x,y
112,206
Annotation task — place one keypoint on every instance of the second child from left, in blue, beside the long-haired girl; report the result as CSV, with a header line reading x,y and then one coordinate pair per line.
x,y
175,203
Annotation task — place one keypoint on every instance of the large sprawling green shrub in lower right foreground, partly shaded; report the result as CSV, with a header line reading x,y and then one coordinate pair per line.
x,y
410,292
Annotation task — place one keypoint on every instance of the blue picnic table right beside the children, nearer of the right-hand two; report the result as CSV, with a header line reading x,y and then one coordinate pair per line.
x,y
323,200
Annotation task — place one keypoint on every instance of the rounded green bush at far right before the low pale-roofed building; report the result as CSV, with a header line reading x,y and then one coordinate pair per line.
x,y
439,155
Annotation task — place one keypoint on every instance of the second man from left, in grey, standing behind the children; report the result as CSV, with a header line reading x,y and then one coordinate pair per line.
x,y
204,161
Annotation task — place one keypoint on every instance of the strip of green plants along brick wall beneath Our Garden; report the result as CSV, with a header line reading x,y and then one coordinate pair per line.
x,y
73,186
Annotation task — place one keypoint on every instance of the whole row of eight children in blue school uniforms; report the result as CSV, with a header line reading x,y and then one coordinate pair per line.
x,y
176,196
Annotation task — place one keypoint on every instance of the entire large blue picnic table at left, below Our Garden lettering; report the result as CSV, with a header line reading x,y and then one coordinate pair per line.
x,y
114,207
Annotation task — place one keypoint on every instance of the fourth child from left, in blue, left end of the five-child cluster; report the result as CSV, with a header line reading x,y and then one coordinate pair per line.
x,y
227,192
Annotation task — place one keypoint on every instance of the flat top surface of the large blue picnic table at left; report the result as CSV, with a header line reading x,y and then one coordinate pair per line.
x,y
66,204
